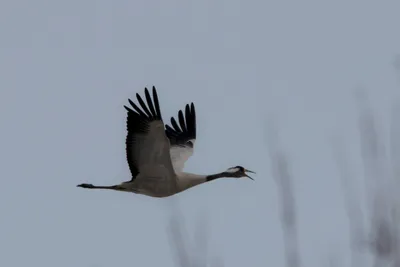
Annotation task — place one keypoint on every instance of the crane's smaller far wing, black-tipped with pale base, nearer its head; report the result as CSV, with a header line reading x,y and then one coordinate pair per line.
x,y
182,137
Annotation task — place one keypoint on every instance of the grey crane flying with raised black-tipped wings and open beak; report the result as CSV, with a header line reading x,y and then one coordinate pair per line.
x,y
156,153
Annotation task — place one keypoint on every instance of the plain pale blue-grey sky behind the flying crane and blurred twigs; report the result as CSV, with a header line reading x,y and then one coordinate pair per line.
x,y
68,67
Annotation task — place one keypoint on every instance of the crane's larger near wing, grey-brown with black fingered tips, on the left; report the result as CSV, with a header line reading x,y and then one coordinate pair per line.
x,y
147,146
